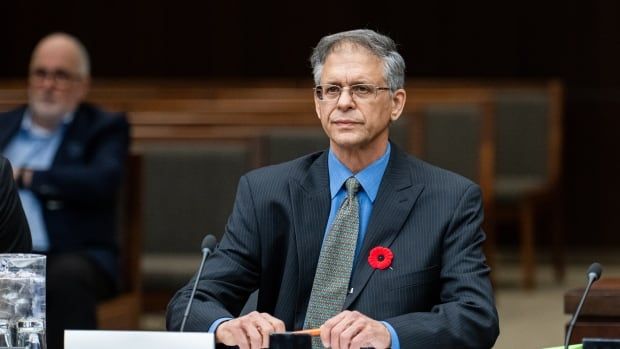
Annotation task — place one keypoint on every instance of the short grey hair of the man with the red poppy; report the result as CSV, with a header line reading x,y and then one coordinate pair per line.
x,y
378,44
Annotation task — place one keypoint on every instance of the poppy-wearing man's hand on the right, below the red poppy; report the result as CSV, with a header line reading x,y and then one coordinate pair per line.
x,y
352,329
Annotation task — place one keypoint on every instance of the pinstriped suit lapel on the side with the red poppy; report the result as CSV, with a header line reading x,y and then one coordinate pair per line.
x,y
395,199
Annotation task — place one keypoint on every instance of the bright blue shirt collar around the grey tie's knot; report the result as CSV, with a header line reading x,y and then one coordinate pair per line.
x,y
369,178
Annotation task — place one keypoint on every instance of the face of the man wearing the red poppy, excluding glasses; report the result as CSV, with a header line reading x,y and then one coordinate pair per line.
x,y
352,122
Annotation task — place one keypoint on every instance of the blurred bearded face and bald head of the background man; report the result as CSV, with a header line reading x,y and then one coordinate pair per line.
x,y
56,85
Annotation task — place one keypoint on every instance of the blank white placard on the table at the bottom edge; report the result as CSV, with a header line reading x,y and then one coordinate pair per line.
x,y
82,339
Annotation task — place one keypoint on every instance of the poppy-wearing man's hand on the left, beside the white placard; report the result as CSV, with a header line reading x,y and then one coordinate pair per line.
x,y
250,331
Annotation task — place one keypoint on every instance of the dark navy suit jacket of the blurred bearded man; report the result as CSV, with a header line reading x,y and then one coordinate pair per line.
x,y
79,192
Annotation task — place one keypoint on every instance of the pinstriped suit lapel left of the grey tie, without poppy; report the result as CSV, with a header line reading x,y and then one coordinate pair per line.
x,y
311,202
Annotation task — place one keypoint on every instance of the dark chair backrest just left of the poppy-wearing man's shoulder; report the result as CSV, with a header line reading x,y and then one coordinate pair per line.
x,y
189,191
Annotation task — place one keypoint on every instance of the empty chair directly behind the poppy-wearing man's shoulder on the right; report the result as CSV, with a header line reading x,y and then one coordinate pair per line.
x,y
457,134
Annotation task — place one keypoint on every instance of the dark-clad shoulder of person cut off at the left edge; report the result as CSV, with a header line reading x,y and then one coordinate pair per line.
x,y
14,231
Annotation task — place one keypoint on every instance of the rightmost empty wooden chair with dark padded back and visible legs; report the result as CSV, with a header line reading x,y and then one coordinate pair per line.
x,y
528,166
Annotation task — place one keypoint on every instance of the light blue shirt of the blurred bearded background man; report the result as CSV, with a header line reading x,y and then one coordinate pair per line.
x,y
34,148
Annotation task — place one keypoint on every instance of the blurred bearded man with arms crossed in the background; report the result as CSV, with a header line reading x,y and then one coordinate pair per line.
x,y
69,160
